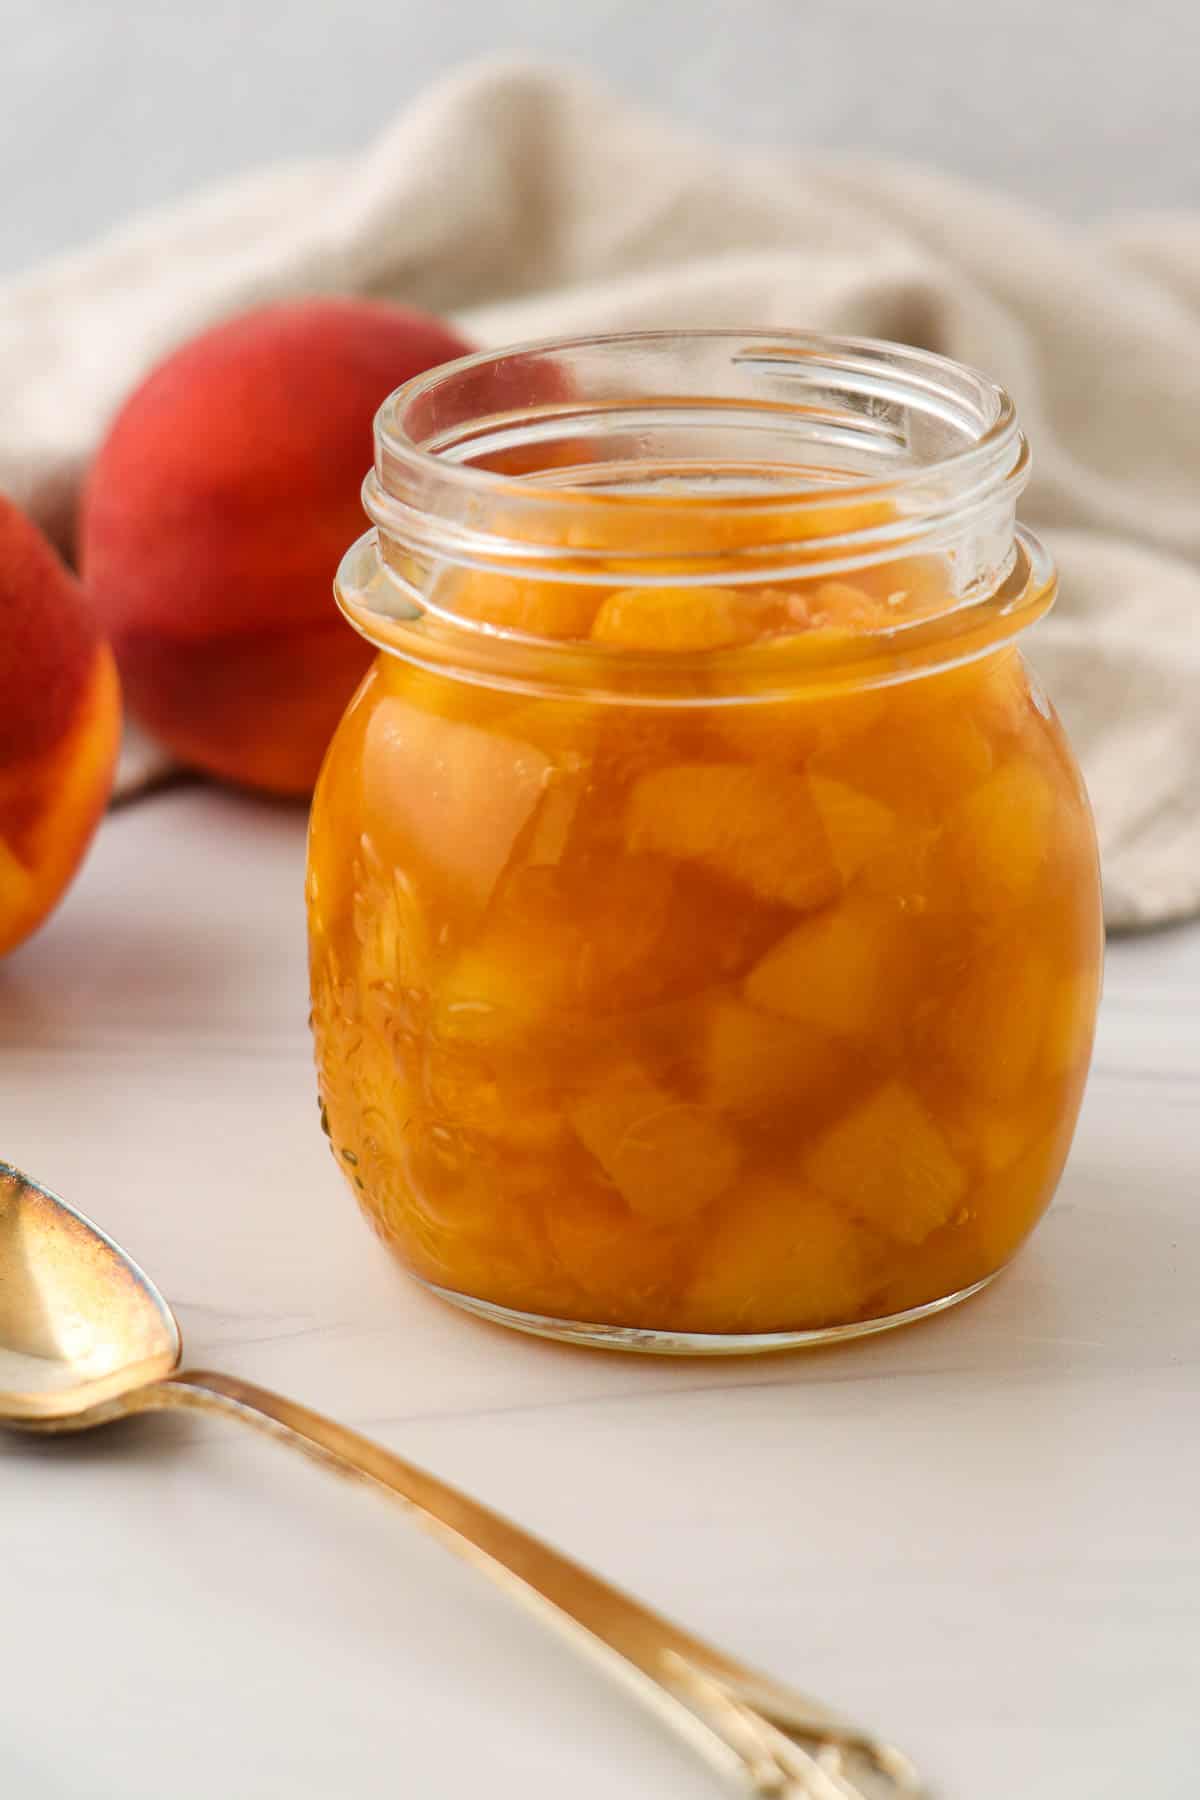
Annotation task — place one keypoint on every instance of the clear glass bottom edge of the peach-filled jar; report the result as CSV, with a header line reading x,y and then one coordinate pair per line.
x,y
650,1342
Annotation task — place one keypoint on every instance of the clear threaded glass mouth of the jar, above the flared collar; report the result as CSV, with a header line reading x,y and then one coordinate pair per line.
x,y
618,433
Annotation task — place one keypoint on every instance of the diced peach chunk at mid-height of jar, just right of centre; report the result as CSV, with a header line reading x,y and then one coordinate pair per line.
x,y
832,971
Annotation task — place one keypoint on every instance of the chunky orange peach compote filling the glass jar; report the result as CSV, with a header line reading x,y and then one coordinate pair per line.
x,y
758,1009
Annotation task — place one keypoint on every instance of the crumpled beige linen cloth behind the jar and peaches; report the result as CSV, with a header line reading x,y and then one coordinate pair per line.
x,y
524,202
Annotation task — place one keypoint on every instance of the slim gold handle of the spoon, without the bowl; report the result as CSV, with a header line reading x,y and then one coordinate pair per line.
x,y
751,1729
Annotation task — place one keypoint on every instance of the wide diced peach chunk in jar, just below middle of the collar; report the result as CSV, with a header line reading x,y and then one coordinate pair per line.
x,y
758,829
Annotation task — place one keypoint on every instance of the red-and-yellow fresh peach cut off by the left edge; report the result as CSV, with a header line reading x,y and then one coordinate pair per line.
x,y
60,724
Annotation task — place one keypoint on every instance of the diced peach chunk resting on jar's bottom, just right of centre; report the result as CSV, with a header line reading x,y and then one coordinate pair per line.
x,y
780,1259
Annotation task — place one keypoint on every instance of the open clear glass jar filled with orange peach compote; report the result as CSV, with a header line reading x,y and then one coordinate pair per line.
x,y
704,901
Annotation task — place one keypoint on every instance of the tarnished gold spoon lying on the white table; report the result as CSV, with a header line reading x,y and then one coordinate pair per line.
x,y
85,1338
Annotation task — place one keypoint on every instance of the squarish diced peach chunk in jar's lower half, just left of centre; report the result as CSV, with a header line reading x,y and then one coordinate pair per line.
x,y
667,1156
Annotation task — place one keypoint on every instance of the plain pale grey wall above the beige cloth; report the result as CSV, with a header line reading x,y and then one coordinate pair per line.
x,y
111,105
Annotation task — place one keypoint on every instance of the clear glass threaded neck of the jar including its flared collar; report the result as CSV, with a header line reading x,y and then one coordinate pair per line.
x,y
690,460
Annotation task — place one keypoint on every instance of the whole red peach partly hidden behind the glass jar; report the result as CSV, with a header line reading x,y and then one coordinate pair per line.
x,y
215,517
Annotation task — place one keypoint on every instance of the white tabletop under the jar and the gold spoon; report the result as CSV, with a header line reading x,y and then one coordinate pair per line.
x,y
980,1534
